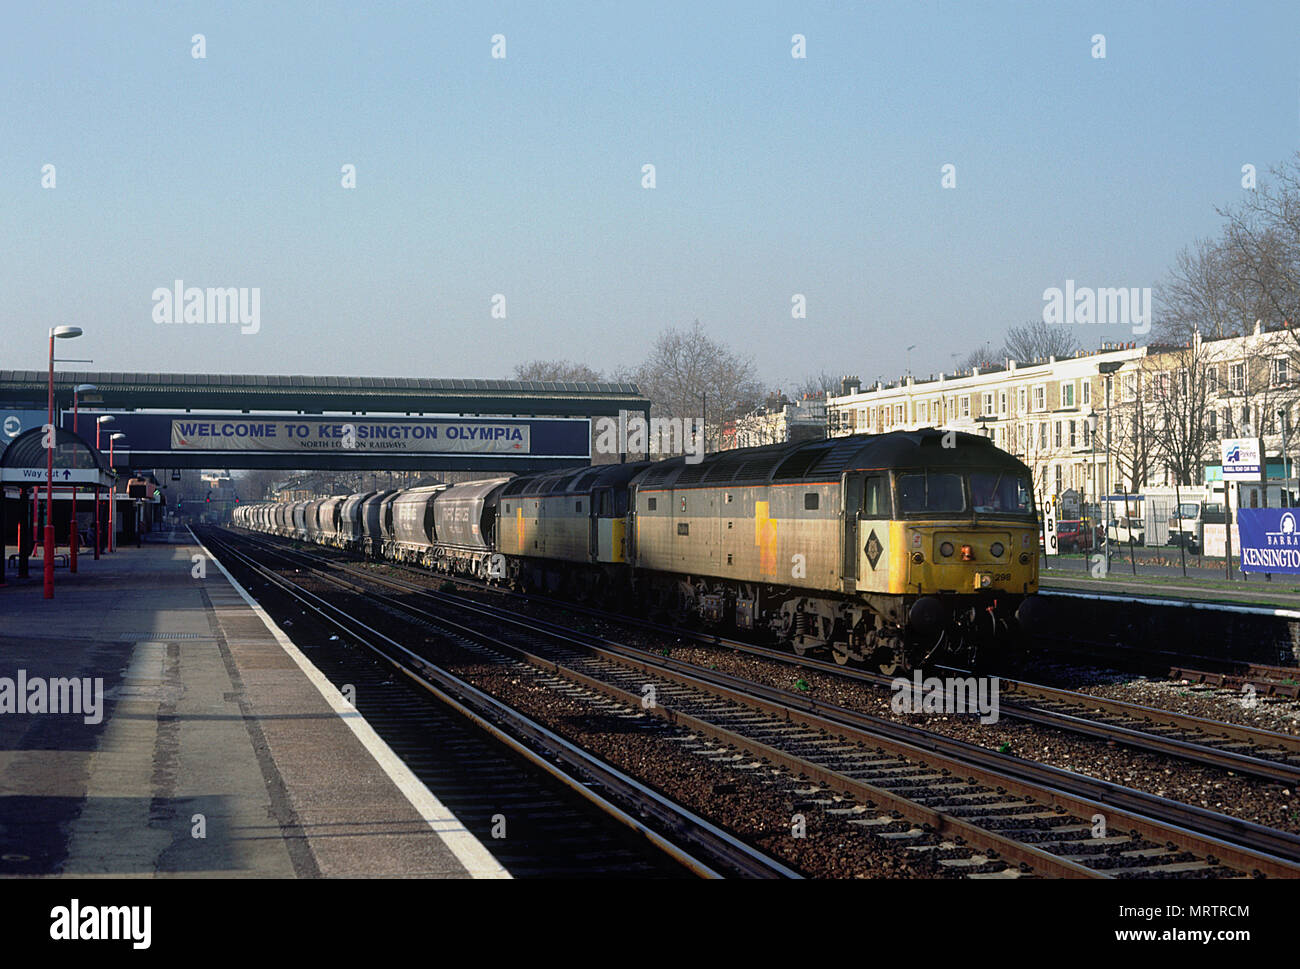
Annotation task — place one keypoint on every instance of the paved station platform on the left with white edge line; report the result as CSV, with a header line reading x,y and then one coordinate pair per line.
x,y
218,749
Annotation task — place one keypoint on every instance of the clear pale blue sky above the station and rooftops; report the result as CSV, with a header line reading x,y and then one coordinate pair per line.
x,y
523,178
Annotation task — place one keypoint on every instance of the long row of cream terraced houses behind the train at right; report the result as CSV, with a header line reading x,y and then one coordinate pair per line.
x,y
1119,419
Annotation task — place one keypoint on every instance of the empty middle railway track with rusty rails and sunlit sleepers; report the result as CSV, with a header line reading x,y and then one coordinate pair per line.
x,y
1035,816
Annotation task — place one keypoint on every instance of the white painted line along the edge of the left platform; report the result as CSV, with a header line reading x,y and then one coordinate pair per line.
x,y
462,843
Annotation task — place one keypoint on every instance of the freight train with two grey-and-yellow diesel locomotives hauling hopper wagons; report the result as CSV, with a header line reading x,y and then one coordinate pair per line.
x,y
885,550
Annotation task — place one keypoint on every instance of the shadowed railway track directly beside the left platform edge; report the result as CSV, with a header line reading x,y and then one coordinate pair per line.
x,y
479,743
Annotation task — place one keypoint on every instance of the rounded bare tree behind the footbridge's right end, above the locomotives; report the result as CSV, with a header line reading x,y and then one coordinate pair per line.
x,y
686,367
